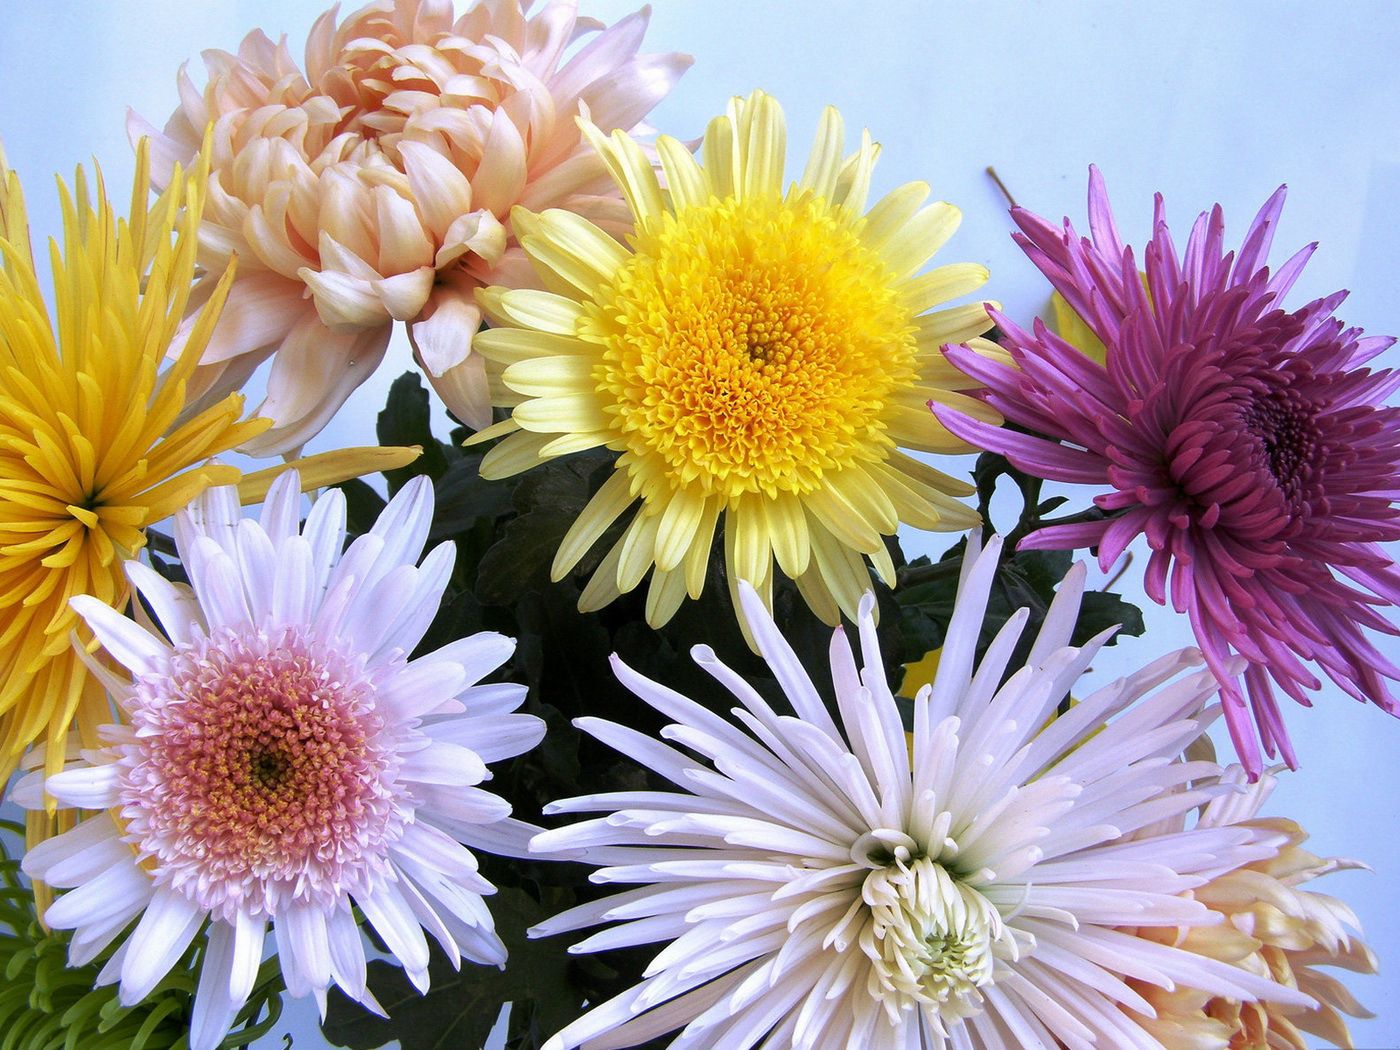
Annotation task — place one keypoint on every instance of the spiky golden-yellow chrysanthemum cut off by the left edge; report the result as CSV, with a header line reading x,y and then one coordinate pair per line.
x,y
92,444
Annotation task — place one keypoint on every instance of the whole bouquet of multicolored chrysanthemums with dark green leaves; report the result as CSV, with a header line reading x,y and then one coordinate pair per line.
x,y
283,752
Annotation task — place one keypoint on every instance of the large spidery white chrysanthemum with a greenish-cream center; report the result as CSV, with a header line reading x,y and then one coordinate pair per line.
x,y
818,883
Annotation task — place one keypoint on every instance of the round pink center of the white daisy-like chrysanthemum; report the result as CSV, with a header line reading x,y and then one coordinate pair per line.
x,y
260,771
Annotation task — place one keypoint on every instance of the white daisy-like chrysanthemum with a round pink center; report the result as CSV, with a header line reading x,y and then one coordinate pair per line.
x,y
282,758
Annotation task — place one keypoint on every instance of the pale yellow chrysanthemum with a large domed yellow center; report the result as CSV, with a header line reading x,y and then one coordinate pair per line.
x,y
755,353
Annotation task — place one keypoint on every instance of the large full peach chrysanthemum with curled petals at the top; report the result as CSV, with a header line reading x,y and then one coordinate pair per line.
x,y
376,185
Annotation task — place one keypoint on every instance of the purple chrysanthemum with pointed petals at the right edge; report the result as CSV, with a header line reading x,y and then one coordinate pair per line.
x,y
1248,443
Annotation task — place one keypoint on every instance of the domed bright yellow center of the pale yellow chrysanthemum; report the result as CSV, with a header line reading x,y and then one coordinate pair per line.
x,y
751,345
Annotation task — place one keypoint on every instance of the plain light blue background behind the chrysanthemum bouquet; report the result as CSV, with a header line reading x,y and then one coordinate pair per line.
x,y
1202,101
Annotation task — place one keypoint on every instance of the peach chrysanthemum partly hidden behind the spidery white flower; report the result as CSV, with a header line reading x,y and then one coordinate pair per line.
x,y
1275,929
